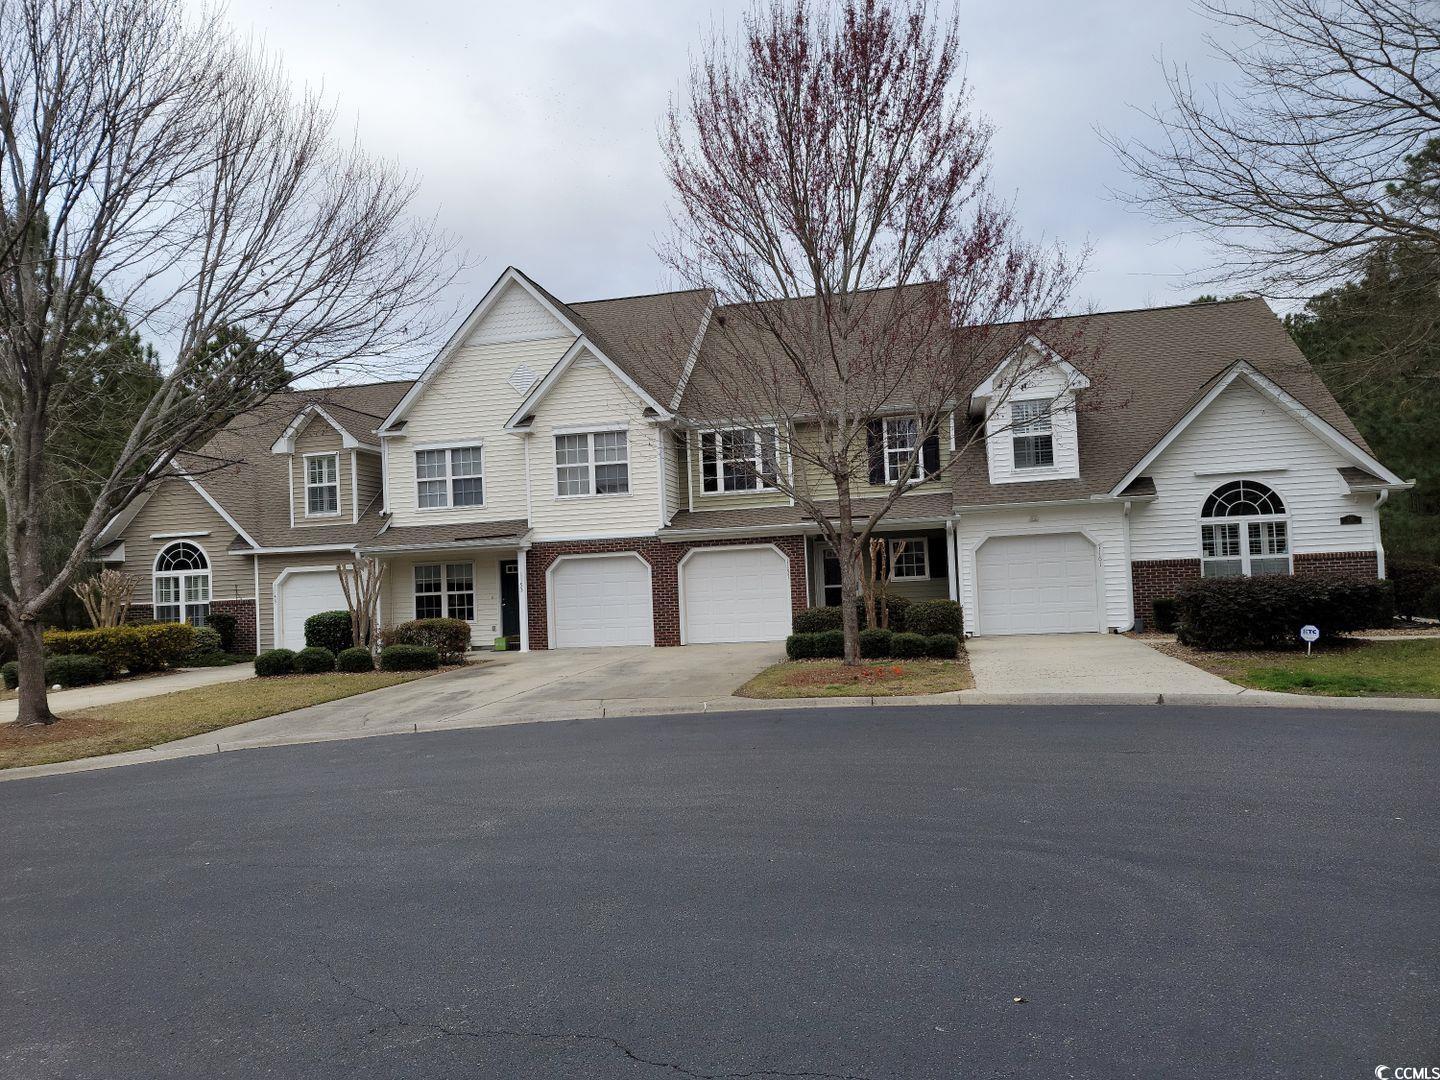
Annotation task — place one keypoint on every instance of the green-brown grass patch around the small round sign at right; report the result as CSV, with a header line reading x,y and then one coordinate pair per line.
x,y
1363,669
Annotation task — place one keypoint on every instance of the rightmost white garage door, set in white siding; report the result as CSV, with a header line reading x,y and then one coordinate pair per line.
x,y
1039,585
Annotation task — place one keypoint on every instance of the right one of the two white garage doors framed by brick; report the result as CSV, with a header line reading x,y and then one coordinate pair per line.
x,y
737,594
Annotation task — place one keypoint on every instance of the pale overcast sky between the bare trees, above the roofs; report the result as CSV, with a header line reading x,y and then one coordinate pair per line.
x,y
534,126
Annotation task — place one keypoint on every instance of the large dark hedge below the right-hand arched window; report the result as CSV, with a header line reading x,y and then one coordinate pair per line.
x,y
1268,613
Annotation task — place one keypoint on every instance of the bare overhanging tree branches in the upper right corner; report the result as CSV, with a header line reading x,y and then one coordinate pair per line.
x,y
1302,166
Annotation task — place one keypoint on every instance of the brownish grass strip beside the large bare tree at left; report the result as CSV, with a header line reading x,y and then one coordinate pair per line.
x,y
153,721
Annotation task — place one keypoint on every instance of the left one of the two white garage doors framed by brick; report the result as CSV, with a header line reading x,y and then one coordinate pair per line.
x,y
603,601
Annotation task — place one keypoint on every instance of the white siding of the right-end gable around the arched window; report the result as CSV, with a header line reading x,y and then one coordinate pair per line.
x,y
1245,436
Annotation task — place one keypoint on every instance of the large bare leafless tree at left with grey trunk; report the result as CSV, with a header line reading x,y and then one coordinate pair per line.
x,y
146,156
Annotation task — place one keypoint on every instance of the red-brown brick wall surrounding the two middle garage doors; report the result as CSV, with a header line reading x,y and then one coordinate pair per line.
x,y
665,562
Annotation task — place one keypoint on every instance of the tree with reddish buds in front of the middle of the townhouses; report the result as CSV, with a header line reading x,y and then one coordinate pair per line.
x,y
830,186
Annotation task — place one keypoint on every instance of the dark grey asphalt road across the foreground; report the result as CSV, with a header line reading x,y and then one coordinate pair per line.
x,y
850,894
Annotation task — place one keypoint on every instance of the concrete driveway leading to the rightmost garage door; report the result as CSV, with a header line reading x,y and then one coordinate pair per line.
x,y
1084,665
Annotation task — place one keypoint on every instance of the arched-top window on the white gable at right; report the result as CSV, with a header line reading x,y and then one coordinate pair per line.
x,y
1243,532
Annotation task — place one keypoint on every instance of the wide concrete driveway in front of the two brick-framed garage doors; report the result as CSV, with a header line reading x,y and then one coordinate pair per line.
x,y
561,685
